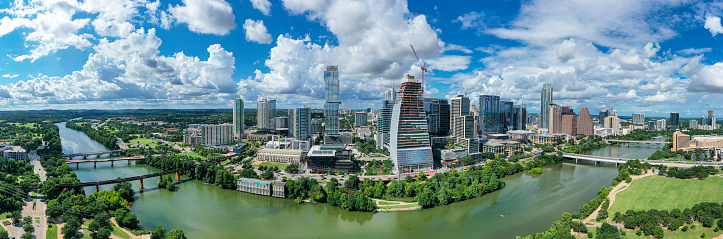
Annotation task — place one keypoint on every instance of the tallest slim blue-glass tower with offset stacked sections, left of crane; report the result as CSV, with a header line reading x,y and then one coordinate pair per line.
x,y
331,107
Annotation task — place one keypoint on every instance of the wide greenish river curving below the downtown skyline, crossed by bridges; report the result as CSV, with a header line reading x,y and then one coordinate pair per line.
x,y
529,205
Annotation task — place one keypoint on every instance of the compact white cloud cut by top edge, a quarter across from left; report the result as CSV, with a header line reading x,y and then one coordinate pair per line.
x,y
205,16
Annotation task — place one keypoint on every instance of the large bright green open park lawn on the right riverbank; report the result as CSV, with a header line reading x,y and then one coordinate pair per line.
x,y
663,193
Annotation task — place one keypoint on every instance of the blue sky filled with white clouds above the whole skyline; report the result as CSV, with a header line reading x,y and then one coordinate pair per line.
x,y
652,57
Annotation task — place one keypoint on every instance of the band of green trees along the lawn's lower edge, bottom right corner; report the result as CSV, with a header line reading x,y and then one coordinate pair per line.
x,y
652,222
